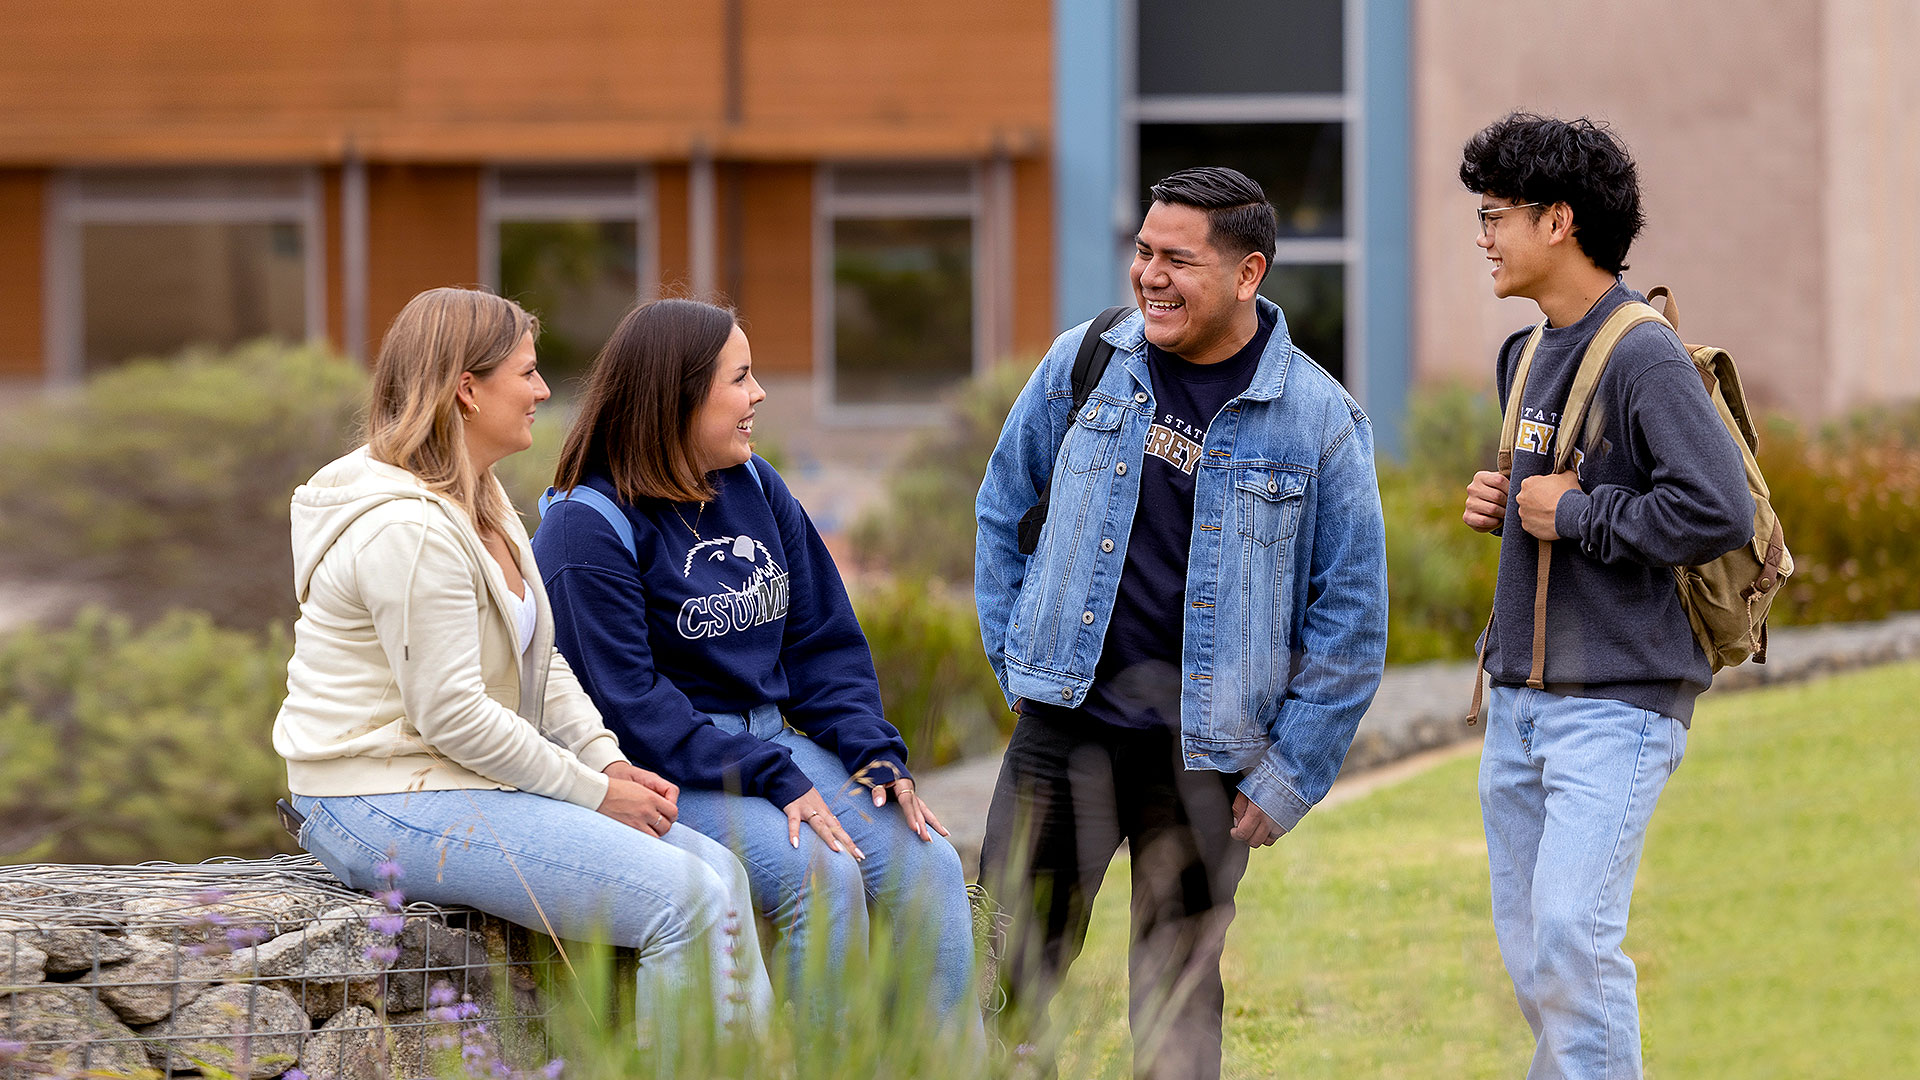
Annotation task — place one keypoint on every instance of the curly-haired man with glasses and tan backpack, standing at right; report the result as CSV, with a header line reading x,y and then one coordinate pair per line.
x,y
1629,574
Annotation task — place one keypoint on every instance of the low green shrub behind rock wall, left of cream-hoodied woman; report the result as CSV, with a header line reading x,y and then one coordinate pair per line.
x,y
120,745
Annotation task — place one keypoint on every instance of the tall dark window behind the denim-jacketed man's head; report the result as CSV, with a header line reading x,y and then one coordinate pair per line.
x,y
1262,89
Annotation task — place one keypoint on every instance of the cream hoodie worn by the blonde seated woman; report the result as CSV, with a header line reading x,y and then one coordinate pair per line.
x,y
406,672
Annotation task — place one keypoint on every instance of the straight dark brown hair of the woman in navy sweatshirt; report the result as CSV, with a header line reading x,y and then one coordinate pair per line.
x,y
636,414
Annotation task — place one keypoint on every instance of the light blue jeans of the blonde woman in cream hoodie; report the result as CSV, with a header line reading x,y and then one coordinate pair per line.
x,y
673,900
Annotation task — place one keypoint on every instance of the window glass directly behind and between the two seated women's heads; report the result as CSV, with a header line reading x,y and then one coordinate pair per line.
x,y
575,249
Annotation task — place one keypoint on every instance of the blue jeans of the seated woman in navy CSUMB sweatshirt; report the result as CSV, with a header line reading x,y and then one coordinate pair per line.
x,y
917,883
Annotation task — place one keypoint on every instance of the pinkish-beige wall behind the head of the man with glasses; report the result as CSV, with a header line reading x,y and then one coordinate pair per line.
x,y
1723,109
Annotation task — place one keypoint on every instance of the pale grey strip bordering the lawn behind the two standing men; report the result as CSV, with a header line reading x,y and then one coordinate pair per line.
x,y
1418,718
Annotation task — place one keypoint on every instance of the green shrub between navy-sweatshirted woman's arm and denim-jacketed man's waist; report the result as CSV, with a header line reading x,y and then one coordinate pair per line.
x,y
934,677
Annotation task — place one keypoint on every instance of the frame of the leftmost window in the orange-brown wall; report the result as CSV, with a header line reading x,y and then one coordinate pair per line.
x,y
70,210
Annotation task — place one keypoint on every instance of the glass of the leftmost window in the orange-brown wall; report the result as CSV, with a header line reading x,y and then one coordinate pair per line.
x,y
156,260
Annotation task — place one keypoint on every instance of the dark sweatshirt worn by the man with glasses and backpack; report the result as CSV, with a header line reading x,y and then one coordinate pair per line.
x,y
1662,485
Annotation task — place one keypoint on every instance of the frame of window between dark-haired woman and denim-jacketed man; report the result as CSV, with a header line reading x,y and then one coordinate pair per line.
x,y
978,205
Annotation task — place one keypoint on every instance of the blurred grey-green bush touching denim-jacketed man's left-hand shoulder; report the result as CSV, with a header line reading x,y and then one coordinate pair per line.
x,y
924,528
